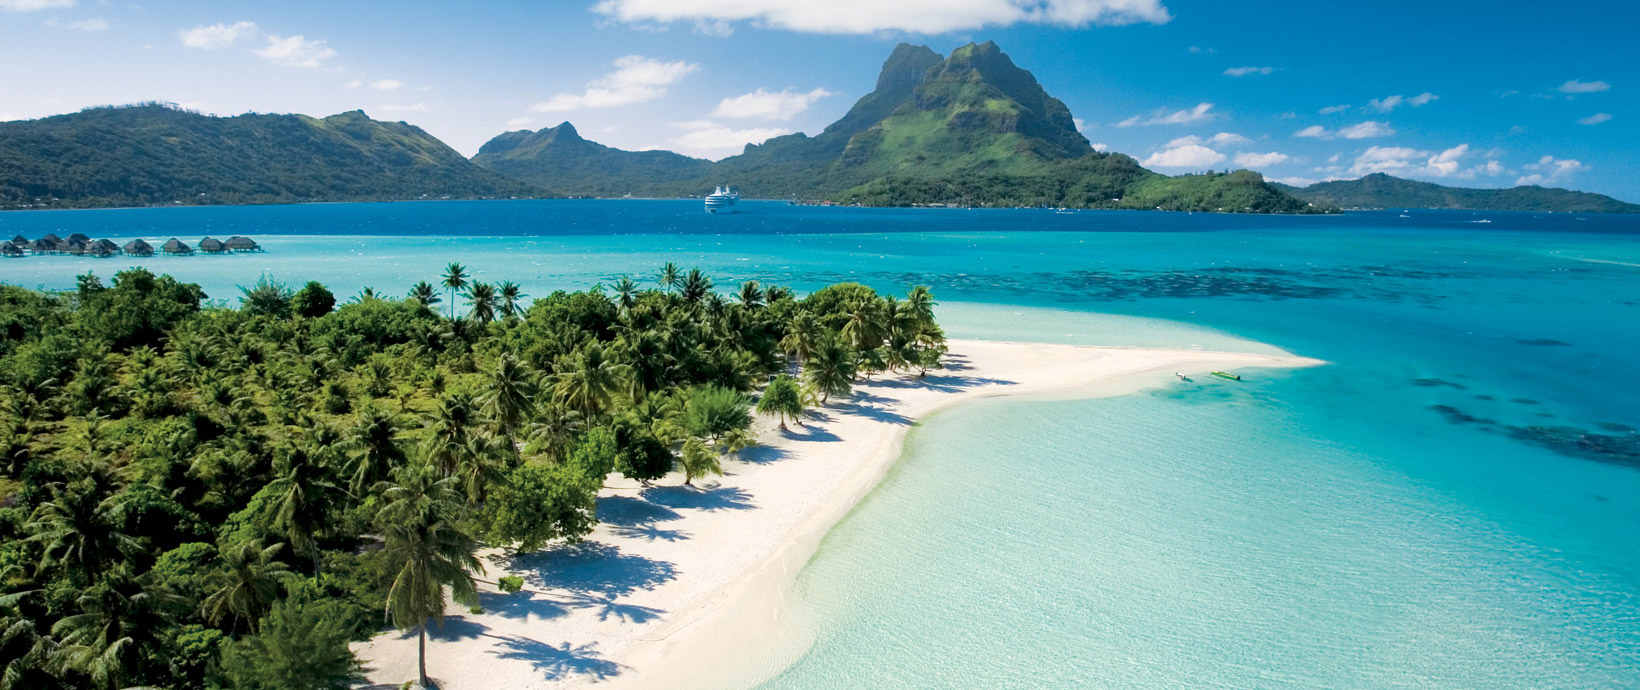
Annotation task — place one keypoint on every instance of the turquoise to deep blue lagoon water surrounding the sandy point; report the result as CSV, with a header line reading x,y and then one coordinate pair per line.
x,y
1452,504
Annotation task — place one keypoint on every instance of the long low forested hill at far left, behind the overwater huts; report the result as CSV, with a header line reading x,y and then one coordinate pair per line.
x,y
157,155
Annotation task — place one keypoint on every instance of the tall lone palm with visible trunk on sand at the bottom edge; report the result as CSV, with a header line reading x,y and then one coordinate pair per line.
x,y
427,553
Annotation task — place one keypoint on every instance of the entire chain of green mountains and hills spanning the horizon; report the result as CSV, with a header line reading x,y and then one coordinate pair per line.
x,y
965,130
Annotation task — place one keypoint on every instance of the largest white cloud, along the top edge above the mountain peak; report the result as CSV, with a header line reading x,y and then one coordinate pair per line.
x,y
865,17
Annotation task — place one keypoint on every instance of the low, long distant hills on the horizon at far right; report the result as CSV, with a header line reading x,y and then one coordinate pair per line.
x,y
1380,191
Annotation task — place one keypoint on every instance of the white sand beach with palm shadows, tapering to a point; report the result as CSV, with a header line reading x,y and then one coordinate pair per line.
x,y
685,588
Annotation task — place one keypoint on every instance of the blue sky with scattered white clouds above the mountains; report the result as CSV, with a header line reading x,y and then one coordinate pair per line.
x,y
1478,94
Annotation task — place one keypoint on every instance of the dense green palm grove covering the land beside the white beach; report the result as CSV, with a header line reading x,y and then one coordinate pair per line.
x,y
209,497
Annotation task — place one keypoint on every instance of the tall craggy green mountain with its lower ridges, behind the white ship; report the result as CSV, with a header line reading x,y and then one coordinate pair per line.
x,y
967,130
